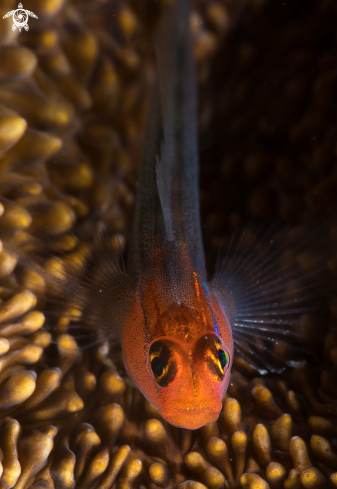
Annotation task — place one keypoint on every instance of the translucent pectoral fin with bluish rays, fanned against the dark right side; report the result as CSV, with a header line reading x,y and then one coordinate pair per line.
x,y
264,287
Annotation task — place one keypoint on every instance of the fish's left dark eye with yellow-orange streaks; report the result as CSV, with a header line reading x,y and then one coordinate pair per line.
x,y
163,365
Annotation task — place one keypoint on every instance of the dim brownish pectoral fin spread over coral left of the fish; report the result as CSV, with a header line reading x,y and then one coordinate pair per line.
x,y
99,287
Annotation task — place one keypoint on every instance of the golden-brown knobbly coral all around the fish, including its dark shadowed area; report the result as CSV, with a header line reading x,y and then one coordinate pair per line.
x,y
73,92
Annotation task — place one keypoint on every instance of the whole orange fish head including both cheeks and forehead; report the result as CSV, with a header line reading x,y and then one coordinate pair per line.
x,y
182,362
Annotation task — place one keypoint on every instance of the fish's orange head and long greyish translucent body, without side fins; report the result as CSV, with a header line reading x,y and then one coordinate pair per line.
x,y
176,339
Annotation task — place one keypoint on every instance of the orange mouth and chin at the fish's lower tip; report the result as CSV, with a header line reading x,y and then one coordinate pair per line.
x,y
193,417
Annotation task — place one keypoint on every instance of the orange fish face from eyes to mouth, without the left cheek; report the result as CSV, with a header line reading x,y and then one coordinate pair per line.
x,y
191,378
